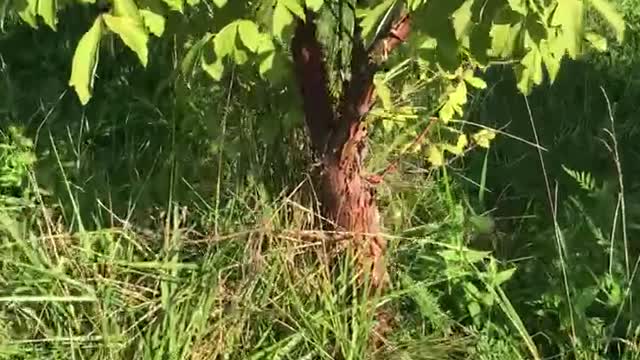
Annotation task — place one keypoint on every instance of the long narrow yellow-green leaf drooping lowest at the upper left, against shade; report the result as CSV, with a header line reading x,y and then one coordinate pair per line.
x,y
85,61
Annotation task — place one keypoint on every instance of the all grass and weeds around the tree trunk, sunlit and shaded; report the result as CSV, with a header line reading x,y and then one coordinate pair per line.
x,y
181,223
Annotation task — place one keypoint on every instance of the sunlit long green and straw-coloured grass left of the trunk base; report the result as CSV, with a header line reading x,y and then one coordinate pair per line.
x,y
112,293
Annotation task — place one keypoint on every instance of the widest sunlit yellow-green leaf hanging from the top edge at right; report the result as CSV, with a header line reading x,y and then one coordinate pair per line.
x,y
568,17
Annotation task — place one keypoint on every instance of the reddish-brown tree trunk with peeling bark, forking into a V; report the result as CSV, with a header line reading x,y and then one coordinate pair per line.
x,y
348,199
